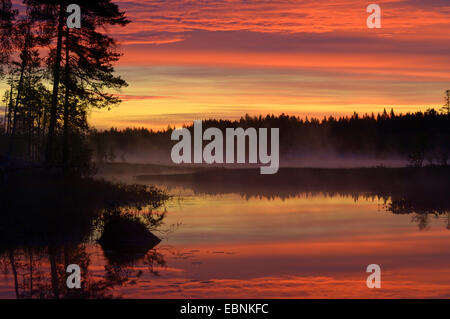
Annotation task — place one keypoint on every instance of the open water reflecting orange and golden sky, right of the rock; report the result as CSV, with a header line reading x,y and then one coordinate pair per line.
x,y
307,247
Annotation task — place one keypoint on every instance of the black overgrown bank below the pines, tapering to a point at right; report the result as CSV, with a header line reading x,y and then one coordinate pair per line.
x,y
41,209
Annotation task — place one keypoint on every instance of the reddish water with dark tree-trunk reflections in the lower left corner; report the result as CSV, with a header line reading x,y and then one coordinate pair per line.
x,y
39,269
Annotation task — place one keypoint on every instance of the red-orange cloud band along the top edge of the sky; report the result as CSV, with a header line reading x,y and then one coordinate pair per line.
x,y
177,18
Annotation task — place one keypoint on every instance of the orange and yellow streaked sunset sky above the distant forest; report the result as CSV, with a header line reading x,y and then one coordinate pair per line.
x,y
189,60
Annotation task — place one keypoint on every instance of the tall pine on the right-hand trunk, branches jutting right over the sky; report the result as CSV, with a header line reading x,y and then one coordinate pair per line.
x,y
89,58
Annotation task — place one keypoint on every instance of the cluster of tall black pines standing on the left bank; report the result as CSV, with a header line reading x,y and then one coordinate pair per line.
x,y
55,74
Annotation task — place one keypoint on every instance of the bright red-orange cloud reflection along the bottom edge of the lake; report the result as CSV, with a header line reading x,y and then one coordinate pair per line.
x,y
353,286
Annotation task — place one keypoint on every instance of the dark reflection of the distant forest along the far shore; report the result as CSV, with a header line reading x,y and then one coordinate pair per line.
x,y
422,192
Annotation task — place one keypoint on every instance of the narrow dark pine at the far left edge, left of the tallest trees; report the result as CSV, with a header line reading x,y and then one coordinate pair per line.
x,y
23,111
